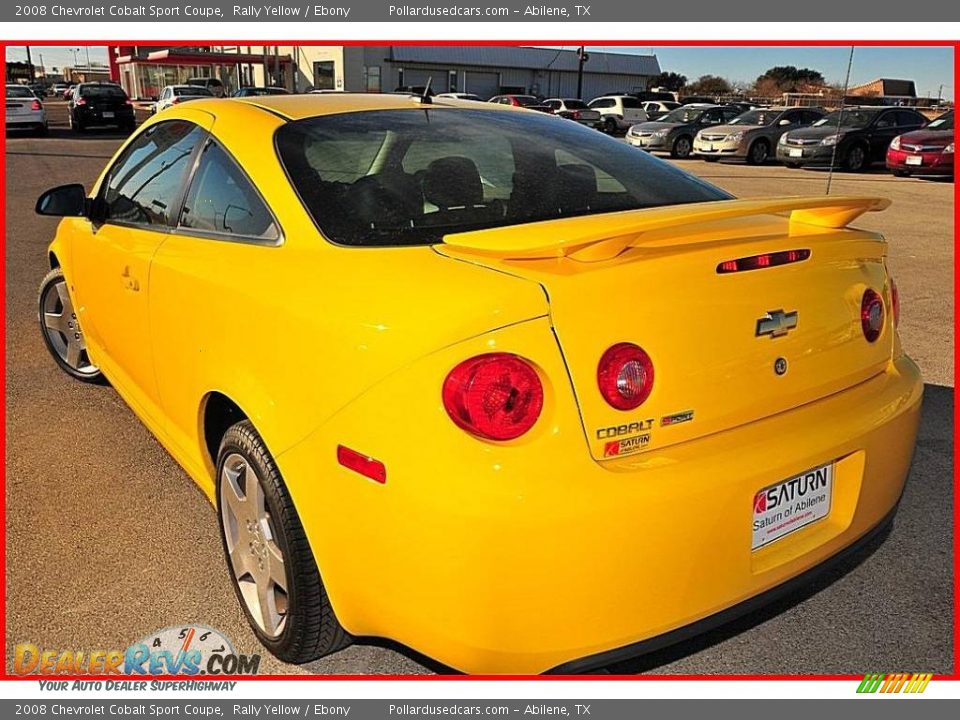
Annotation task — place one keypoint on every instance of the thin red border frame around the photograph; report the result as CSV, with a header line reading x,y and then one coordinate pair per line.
x,y
4,676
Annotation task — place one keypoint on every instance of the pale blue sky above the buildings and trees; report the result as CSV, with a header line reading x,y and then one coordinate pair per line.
x,y
928,66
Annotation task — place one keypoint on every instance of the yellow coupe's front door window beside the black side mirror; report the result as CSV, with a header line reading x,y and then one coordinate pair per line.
x,y
144,186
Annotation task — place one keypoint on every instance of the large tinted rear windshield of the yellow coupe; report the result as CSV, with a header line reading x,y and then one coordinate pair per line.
x,y
410,177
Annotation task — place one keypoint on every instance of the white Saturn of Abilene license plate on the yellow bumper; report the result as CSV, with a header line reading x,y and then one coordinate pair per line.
x,y
792,504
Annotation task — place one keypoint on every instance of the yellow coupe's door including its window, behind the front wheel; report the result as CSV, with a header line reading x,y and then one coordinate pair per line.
x,y
135,206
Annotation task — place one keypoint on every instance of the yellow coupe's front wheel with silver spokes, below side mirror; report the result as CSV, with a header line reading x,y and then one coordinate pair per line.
x,y
61,330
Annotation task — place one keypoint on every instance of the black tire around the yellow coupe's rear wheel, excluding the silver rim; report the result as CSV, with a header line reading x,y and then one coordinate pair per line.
x,y
311,628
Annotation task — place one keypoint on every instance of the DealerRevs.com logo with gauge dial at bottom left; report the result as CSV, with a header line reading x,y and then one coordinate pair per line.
x,y
191,650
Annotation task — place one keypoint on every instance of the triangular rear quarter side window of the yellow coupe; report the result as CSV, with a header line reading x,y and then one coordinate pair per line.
x,y
222,200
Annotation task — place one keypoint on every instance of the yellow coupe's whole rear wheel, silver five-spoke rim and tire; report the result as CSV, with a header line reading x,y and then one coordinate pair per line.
x,y
271,564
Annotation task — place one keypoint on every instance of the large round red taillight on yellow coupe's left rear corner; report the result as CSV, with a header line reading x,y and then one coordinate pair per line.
x,y
496,396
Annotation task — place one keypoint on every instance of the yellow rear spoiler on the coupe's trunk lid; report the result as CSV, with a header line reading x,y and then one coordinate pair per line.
x,y
591,238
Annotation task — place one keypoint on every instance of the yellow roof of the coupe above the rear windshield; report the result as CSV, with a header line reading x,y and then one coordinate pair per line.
x,y
299,107
